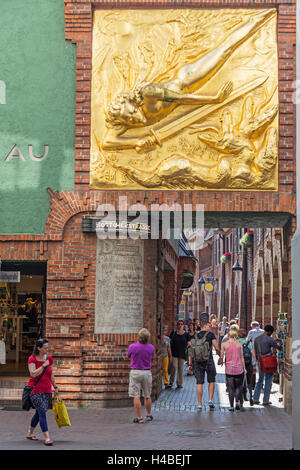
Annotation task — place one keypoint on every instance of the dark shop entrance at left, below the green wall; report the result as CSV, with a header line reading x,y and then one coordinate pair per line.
x,y
22,313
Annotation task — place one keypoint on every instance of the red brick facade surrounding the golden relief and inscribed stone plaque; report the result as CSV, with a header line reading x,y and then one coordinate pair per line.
x,y
93,367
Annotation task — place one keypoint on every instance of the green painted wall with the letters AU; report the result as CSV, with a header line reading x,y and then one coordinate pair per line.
x,y
37,83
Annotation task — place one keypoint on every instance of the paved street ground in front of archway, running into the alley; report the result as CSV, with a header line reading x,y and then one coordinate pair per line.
x,y
177,425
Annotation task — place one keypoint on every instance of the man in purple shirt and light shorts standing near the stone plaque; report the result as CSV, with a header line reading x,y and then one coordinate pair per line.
x,y
140,378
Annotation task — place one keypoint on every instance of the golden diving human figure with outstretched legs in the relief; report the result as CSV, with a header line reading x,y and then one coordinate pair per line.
x,y
149,103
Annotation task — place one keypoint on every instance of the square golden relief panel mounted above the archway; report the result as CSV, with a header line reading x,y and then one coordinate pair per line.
x,y
184,99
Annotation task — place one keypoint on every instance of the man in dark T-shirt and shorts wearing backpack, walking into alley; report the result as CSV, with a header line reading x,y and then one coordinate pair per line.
x,y
201,358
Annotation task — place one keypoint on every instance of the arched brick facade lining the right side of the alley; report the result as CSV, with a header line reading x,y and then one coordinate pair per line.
x,y
268,285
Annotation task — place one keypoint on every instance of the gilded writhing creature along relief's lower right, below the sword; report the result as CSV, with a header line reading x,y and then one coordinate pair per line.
x,y
238,154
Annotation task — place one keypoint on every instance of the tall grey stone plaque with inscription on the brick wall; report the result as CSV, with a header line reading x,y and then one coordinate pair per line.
x,y
119,286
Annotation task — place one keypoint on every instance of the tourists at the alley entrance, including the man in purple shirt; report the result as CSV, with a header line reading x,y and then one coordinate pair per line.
x,y
248,358
